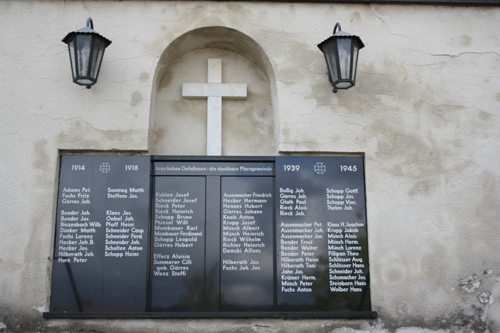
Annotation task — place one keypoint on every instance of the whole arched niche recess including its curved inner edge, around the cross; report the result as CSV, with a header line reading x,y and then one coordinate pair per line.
x,y
178,125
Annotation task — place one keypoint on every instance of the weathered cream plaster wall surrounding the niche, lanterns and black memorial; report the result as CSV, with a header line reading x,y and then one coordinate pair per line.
x,y
424,112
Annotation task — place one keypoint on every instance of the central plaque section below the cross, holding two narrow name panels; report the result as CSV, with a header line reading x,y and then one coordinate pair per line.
x,y
232,257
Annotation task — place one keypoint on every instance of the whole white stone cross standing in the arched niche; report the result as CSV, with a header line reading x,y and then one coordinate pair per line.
x,y
214,90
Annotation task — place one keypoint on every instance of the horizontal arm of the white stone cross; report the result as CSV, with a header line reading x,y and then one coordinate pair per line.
x,y
225,90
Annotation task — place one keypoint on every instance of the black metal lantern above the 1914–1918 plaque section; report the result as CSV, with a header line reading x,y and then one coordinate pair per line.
x,y
86,49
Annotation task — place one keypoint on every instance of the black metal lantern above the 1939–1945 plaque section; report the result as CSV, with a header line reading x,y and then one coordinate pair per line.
x,y
341,55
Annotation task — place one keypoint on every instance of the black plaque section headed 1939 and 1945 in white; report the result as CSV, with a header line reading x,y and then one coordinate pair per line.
x,y
321,236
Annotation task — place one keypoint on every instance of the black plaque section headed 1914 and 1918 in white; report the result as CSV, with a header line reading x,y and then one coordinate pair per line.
x,y
100,254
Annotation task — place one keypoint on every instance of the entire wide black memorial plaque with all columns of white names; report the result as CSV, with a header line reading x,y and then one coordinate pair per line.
x,y
267,237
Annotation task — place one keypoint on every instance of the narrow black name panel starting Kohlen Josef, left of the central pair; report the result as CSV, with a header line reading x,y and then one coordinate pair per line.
x,y
178,280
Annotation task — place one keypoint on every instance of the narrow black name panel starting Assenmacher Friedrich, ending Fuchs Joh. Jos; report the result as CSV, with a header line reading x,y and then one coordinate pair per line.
x,y
247,278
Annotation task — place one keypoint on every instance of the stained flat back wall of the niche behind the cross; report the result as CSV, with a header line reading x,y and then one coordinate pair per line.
x,y
181,123
